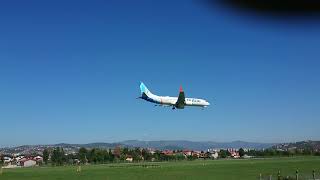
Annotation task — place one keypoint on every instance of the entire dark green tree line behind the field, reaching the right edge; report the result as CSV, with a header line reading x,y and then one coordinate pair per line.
x,y
58,157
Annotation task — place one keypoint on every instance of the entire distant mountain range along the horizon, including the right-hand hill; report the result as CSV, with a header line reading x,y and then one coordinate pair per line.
x,y
165,145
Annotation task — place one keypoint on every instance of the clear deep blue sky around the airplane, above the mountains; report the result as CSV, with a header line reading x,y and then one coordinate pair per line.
x,y
70,72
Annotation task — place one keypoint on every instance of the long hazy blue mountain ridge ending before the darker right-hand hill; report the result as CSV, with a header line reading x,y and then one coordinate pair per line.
x,y
160,145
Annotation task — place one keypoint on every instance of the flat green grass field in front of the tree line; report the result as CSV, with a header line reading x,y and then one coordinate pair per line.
x,y
186,170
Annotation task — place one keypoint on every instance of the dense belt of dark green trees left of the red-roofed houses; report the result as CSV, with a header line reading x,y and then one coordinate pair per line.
x,y
57,156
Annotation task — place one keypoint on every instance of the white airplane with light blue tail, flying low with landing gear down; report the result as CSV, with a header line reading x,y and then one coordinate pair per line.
x,y
175,102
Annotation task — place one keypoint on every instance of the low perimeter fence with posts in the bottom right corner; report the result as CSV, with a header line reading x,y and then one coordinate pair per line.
x,y
294,176
